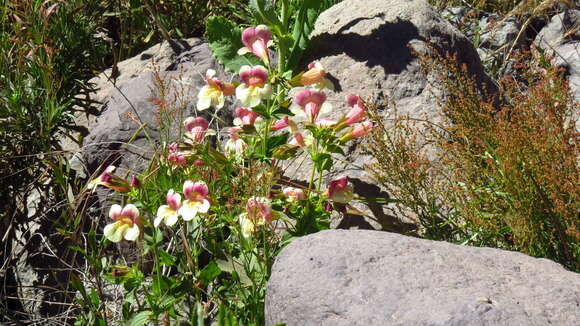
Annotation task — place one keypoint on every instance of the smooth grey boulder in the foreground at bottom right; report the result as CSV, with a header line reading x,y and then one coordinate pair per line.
x,y
356,277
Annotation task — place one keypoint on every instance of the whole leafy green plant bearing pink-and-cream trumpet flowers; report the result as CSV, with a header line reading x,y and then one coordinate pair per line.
x,y
213,244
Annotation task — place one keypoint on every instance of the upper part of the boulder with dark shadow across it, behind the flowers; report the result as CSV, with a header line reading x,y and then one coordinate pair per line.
x,y
366,47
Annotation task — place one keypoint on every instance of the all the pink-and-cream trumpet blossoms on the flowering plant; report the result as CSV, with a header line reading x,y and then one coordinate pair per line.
x,y
309,120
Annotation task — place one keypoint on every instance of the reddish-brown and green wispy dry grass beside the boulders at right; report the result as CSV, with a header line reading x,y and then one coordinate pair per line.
x,y
507,173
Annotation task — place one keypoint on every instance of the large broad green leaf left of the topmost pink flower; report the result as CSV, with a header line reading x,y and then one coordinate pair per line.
x,y
225,39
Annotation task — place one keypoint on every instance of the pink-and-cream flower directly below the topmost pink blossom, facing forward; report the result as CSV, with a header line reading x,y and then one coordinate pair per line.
x,y
254,87
